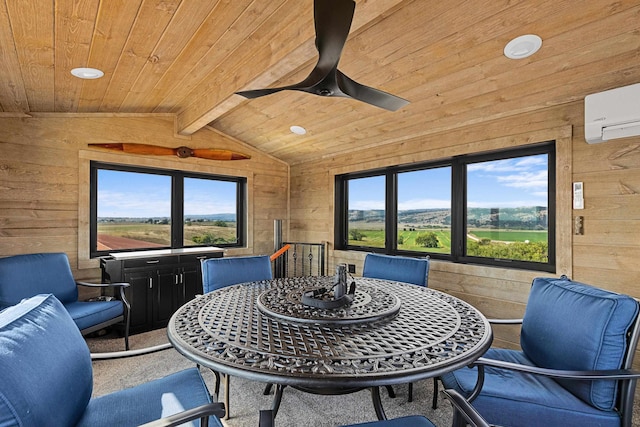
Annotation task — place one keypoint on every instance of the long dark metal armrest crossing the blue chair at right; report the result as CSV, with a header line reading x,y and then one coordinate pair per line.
x,y
611,374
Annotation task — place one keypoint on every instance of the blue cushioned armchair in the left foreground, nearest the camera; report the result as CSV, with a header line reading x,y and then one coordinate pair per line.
x,y
47,378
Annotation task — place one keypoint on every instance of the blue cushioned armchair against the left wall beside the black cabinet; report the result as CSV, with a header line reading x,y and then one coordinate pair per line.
x,y
23,276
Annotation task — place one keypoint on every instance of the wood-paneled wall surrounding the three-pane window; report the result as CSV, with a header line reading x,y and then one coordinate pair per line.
x,y
606,255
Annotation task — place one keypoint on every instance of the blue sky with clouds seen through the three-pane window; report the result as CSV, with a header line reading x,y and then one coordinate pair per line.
x,y
499,184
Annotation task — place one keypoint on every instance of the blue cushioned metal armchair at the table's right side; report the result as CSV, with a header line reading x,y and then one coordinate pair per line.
x,y
574,366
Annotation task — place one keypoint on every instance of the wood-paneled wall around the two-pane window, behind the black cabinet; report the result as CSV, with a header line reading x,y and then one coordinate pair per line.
x,y
44,176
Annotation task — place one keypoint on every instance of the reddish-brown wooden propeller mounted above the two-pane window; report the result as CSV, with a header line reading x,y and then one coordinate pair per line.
x,y
182,152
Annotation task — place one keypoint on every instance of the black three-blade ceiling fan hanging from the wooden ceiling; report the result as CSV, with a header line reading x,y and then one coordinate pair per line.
x,y
332,21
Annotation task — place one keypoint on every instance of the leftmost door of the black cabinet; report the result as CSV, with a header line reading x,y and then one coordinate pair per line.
x,y
139,296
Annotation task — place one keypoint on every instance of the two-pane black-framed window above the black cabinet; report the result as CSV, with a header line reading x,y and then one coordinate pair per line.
x,y
135,208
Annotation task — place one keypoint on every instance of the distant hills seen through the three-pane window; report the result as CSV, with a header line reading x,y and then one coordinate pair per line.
x,y
521,218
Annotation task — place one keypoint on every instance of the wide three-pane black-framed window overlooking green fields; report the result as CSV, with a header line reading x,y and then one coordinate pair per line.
x,y
494,208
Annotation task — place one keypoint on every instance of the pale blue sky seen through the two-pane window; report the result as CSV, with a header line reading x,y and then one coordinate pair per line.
x,y
129,194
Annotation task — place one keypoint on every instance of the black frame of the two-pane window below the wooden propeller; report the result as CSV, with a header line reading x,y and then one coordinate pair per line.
x,y
177,204
